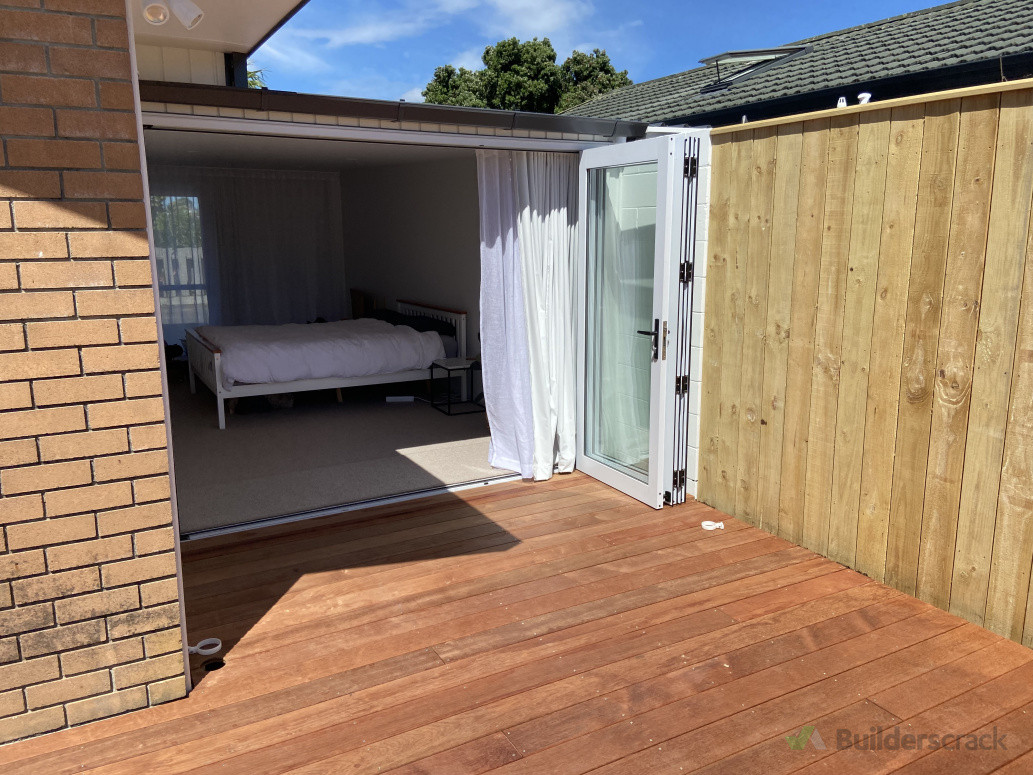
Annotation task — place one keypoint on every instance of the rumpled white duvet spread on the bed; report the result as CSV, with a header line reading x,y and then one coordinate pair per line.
x,y
256,355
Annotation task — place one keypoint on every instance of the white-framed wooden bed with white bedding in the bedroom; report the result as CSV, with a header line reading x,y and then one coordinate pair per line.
x,y
239,361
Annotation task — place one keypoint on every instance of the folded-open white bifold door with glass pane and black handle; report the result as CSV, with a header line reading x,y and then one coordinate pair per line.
x,y
637,233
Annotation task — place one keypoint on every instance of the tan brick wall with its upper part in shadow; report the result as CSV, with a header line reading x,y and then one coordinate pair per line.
x,y
89,608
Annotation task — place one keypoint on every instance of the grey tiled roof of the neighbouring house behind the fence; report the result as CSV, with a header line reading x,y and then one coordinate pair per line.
x,y
960,34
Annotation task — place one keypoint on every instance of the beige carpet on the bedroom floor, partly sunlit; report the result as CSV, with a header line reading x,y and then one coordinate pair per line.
x,y
317,454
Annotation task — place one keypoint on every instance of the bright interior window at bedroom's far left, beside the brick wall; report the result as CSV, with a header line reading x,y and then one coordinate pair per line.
x,y
180,258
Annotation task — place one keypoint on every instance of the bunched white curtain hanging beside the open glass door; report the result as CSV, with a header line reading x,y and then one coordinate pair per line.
x,y
528,214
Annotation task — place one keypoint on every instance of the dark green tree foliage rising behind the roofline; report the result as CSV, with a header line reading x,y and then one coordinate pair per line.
x,y
524,76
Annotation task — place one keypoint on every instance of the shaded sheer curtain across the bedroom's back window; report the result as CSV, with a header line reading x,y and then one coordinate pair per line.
x,y
272,245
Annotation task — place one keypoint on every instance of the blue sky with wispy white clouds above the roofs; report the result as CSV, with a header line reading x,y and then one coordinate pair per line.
x,y
389,49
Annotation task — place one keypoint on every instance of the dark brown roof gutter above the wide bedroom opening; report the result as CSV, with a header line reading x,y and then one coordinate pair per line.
x,y
266,100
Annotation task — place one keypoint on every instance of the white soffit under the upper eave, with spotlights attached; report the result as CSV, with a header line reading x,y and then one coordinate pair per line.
x,y
228,26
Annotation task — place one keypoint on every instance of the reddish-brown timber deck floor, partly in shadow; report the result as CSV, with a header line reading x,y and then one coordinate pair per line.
x,y
555,628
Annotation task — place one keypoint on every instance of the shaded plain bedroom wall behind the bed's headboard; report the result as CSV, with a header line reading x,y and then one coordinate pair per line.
x,y
413,232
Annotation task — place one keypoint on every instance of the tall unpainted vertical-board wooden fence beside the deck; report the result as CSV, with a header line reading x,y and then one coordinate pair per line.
x,y
868,354
